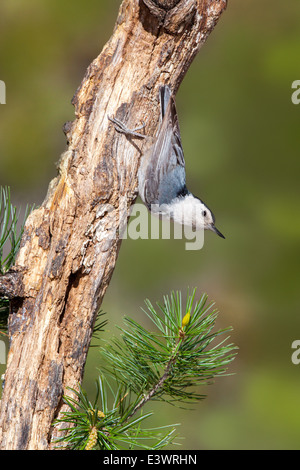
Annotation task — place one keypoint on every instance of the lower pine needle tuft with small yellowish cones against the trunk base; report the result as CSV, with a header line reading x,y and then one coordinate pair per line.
x,y
113,430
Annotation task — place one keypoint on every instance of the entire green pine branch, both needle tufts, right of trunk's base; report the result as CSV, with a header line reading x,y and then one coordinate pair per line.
x,y
169,364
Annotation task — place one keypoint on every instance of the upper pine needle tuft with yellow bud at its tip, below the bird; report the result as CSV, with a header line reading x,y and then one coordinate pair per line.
x,y
150,359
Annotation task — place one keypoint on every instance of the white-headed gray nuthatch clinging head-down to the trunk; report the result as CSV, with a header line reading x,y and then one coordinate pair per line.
x,y
162,180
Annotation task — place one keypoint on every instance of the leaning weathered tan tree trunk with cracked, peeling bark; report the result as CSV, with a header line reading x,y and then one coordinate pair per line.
x,y
70,244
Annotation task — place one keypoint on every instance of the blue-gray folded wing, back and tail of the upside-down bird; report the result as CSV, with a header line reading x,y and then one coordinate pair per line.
x,y
162,175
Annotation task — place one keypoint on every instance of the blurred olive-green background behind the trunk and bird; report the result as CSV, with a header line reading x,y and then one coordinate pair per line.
x,y
240,133
